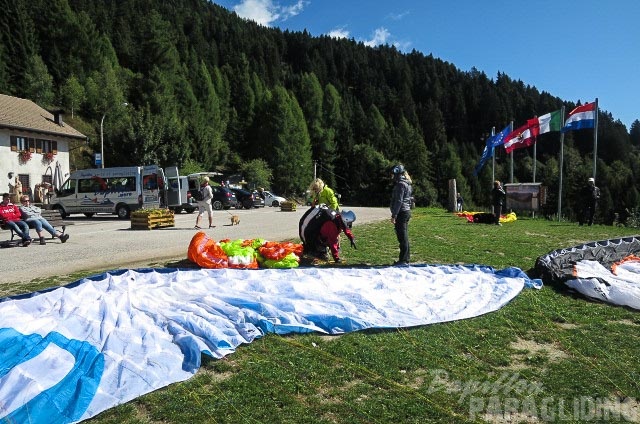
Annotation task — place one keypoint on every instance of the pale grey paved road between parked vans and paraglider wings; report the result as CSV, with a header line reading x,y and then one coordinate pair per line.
x,y
106,242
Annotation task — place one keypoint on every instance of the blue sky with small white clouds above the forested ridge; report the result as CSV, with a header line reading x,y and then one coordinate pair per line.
x,y
575,50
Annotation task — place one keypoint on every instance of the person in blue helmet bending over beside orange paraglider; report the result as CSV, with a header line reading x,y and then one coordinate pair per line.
x,y
320,228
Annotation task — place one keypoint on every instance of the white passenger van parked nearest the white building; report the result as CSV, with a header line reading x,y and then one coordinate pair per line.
x,y
111,190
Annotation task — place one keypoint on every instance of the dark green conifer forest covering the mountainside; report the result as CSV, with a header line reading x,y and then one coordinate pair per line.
x,y
189,83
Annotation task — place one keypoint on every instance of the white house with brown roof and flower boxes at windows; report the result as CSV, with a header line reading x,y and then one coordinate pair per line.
x,y
33,142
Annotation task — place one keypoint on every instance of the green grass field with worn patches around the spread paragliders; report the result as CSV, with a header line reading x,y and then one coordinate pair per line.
x,y
547,356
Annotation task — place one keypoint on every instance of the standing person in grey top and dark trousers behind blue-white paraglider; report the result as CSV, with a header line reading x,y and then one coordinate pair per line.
x,y
401,200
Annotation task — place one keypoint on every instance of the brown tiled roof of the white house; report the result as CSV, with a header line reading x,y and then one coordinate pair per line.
x,y
23,114
